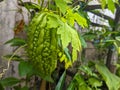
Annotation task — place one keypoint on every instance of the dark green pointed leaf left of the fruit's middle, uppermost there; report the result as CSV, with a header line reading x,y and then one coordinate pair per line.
x,y
16,42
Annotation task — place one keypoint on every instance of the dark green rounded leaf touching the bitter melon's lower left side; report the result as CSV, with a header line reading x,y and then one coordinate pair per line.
x,y
24,68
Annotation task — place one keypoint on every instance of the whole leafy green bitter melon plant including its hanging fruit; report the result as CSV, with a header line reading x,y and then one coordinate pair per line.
x,y
50,34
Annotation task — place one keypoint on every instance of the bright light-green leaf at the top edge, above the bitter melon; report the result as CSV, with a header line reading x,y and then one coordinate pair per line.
x,y
62,5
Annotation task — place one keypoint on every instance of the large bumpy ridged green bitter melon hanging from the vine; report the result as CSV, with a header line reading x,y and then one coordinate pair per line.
x,y
42,45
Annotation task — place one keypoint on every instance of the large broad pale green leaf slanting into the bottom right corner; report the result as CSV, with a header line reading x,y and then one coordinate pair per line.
x,y
112,81
